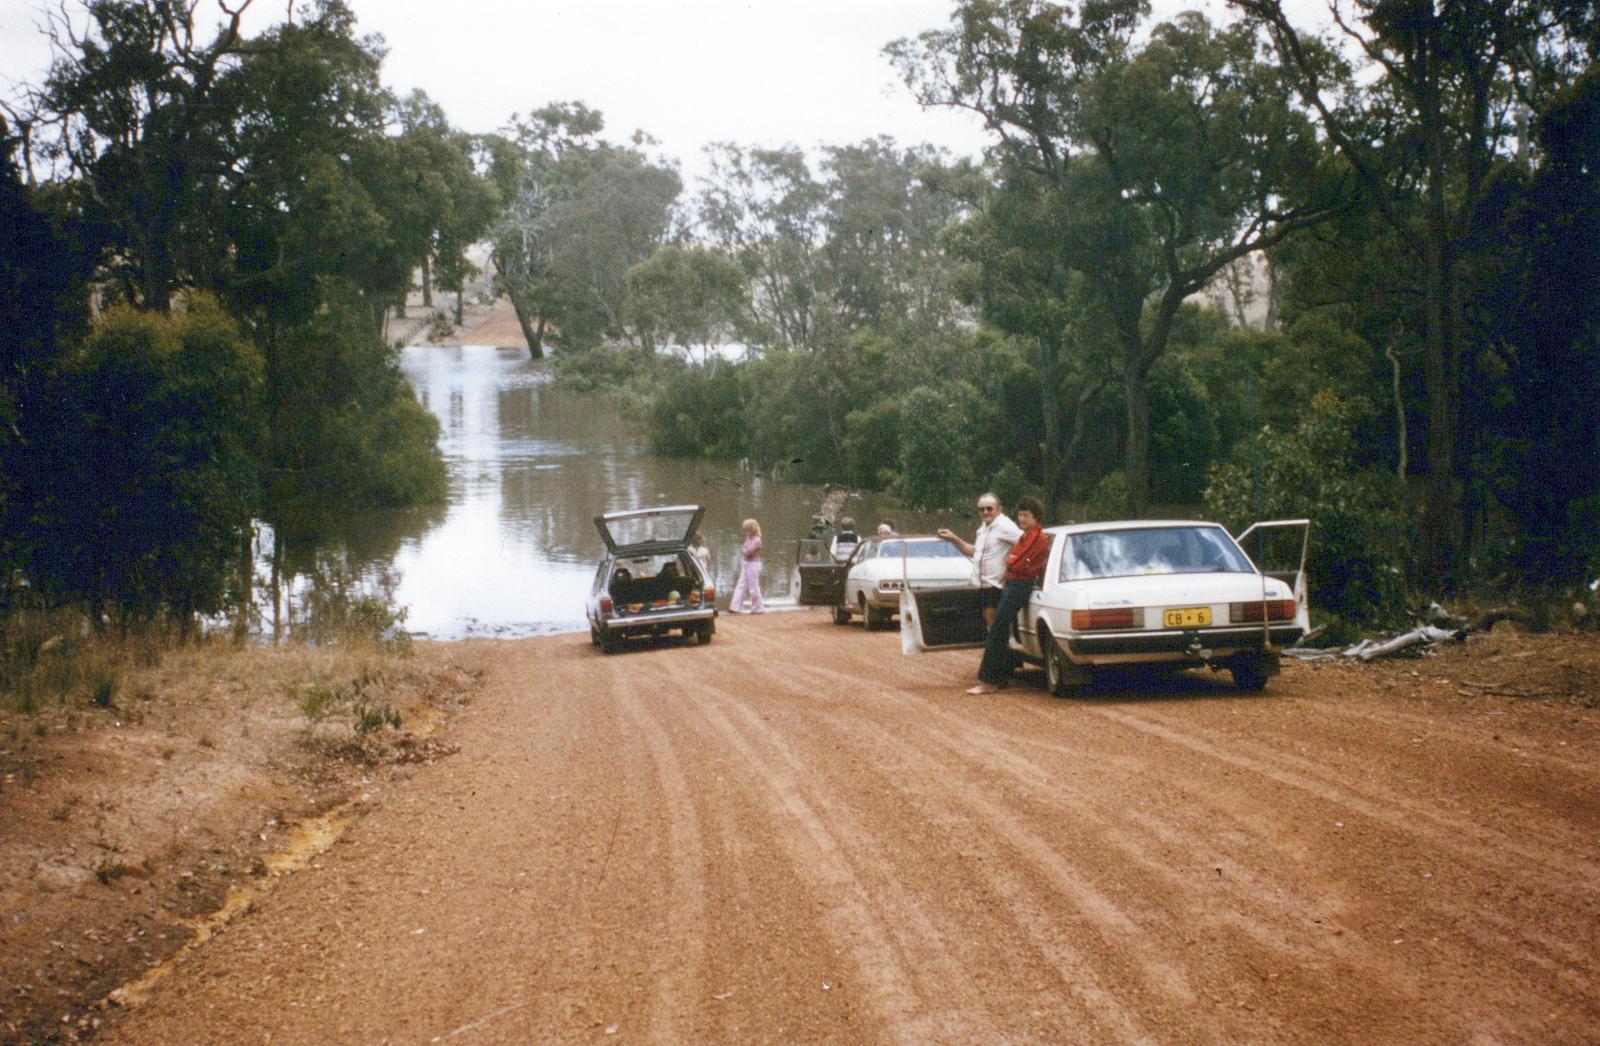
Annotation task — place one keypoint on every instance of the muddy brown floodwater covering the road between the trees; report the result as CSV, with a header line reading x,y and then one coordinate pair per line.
x,y
514,553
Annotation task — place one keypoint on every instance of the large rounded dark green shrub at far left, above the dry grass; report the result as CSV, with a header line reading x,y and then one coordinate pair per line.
x,y
137,495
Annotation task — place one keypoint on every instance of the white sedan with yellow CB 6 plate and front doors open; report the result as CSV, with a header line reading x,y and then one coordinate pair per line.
x,y
1145,593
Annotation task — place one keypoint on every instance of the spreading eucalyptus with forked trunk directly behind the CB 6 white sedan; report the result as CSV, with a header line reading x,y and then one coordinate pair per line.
x,y
1159,159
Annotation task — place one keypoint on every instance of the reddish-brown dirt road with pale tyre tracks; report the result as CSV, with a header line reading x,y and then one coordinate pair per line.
x,y
798,836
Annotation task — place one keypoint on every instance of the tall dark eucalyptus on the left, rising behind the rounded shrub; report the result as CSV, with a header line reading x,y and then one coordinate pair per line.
x,y
274,174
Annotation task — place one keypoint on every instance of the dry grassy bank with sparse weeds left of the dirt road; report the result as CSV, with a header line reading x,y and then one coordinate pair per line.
x,y
142,781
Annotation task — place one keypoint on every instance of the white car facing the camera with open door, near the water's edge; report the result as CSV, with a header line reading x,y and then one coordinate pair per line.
x,y
871,581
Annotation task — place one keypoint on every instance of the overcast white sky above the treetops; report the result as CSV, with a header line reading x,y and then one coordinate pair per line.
x,y
690,73
